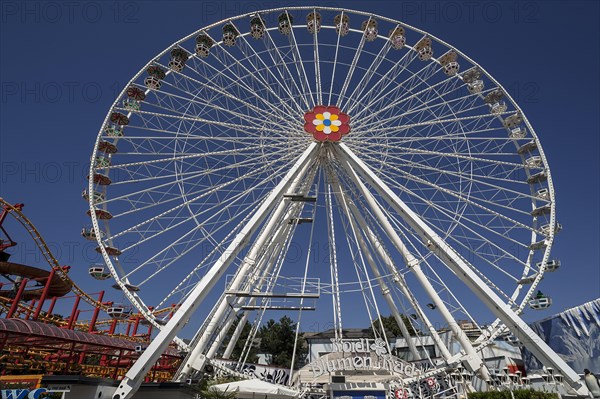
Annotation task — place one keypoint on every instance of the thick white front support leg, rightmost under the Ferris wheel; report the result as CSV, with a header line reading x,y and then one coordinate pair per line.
x,y
465,272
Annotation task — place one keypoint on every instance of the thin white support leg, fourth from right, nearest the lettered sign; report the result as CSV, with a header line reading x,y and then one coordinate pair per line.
x,y
385,291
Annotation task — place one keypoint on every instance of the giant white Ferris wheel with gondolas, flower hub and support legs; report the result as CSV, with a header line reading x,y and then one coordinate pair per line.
x,y
420,177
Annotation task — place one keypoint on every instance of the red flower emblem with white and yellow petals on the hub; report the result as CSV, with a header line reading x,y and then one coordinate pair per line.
x,y
326,123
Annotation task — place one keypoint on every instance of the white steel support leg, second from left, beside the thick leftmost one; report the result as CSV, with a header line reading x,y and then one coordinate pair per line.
x,y
196,360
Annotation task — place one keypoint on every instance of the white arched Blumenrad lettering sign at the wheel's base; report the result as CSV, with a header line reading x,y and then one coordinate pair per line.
x,y
361,354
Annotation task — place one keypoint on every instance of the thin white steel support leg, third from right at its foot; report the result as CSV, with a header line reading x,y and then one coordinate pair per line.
x,y
399,279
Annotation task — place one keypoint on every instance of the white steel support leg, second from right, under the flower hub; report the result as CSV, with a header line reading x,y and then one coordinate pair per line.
x,y
472,361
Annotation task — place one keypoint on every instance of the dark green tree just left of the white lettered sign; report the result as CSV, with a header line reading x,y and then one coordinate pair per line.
x,y
277,340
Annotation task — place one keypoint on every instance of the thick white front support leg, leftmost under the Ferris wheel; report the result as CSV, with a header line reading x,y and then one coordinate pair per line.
x,y
135,376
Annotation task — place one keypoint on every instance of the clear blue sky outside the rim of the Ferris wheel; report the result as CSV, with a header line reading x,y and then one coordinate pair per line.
x,y
61,65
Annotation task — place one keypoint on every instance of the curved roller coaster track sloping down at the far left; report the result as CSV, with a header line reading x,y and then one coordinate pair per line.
x,y
41,244
